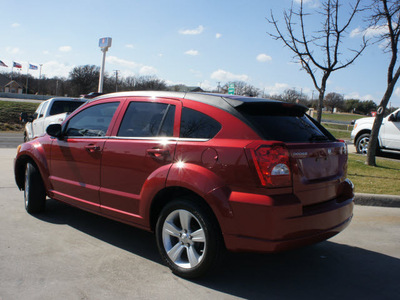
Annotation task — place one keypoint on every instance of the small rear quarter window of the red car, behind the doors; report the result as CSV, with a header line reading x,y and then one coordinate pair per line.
x,y
195,124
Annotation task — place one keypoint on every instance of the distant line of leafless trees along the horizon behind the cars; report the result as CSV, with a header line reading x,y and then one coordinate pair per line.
x,y
84,79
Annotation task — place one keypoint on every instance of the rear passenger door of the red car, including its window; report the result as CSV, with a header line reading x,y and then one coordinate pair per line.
x,y
143,145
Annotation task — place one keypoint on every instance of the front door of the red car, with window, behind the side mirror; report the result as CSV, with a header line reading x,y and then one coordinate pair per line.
x,y
76,158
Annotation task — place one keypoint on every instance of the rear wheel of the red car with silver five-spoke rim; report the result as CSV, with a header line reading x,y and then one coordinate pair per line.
x,y
188,238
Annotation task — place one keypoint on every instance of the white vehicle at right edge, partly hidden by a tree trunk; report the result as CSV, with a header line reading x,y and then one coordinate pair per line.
x,y
389,133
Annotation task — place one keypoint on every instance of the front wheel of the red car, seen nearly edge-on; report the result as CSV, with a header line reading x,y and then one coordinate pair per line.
x,y
34,191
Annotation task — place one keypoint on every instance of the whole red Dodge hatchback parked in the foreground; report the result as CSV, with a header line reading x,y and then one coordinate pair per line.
x,y
205,172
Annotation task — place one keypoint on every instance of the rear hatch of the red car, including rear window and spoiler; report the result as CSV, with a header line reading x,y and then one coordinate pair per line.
x,y
317,161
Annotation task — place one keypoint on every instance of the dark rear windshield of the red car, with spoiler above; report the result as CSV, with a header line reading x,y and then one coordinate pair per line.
x,y
286,123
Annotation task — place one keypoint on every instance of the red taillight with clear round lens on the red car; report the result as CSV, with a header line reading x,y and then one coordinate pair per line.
x,y
272,163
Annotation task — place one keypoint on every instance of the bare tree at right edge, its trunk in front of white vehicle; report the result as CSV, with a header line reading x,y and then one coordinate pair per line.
x,y
385,15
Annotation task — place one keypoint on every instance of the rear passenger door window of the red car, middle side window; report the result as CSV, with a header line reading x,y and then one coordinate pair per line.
x,y
148,119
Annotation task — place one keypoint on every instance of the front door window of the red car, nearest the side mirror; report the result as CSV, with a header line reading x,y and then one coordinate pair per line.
x,y
93,121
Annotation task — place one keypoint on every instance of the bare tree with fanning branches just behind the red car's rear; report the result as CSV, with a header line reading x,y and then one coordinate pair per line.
x,y
318,52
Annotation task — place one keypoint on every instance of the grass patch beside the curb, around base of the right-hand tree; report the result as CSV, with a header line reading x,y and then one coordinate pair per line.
x,y
383,179
